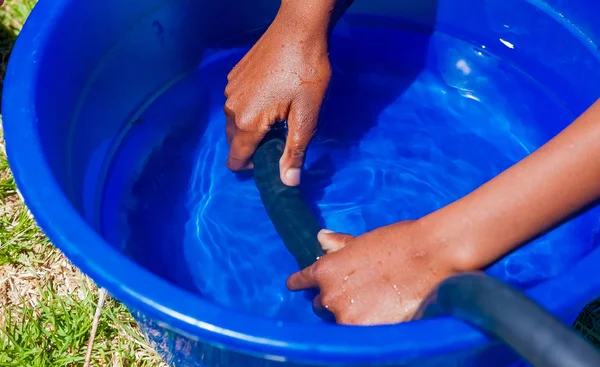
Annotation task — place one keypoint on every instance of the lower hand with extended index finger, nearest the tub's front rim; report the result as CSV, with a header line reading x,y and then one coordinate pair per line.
x,y
376,278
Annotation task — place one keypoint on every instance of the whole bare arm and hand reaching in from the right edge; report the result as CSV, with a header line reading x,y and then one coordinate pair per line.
x,y
382,276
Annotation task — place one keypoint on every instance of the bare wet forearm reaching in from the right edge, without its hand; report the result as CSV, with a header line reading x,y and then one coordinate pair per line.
x,y
557,180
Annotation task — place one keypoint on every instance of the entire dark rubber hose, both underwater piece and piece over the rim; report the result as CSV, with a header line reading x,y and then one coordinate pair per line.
x,y
490,305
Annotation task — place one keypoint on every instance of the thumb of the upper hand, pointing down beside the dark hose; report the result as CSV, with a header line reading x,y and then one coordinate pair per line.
x,y
302,123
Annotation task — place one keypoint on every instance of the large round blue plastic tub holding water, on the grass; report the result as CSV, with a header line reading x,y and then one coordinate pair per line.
x,y
113,122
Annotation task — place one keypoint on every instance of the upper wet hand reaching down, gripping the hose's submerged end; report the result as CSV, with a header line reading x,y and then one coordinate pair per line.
x,y
283,77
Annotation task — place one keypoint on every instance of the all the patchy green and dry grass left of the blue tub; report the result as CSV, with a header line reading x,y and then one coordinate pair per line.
x,y
47,305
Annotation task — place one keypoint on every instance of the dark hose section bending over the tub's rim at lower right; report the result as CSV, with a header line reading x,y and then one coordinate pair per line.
x,y
509,315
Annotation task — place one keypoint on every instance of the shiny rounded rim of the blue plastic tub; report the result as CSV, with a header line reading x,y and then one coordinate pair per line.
x,y
186,313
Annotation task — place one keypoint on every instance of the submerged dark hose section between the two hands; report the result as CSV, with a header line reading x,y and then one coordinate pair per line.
x,y
293,220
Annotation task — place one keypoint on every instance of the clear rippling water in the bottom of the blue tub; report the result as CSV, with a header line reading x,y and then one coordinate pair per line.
x,y
413,120
